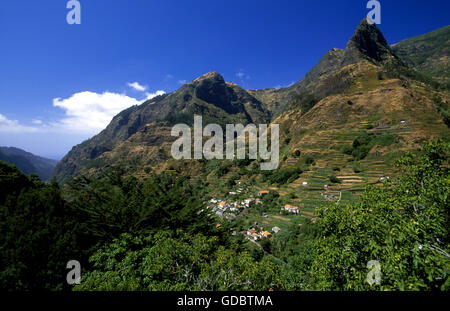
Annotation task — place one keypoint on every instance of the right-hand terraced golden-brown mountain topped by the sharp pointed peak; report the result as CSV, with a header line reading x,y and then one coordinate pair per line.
x,y
357,133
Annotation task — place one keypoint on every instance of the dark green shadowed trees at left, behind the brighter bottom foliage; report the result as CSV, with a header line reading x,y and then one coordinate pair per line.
x,y
42,228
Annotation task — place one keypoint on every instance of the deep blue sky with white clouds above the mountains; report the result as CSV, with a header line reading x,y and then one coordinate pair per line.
x,y
60,84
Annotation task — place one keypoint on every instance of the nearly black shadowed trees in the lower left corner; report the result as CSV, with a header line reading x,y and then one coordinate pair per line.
x,y
38,230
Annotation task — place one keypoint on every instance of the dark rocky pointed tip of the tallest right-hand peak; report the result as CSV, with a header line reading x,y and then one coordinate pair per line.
x,y
369,42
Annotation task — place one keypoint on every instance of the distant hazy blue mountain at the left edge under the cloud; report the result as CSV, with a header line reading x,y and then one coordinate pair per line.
x,y
27,162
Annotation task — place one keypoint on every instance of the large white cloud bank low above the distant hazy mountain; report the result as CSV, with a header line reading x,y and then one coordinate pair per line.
x,y
85,115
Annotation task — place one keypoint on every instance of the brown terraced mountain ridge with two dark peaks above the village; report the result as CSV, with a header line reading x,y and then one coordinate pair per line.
x,y
350,116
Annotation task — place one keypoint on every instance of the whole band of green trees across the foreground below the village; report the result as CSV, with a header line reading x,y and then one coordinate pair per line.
x,y
156,235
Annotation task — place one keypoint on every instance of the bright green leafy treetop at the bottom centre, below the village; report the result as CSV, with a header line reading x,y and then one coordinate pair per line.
x,y
163,262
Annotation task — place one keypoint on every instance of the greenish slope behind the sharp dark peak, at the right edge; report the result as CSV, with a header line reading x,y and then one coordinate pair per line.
x,y
428,54
